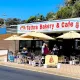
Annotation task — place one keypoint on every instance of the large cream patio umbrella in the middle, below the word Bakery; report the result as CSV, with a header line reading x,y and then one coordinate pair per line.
x,y
37,35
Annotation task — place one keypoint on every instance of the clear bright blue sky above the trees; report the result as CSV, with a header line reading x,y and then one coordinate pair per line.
x,y
23,9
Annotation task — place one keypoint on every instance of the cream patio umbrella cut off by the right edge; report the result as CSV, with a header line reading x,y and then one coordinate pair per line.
x,y
70,35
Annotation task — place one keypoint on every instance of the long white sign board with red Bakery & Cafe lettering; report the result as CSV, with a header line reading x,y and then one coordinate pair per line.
x,y
51,26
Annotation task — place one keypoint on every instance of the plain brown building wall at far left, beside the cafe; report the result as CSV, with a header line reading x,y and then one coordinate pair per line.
x,y
9,45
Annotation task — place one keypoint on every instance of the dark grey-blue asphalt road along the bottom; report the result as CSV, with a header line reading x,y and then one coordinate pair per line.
x,y
7,73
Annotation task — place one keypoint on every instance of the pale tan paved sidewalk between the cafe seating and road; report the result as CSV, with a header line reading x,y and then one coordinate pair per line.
x,y
66,70
